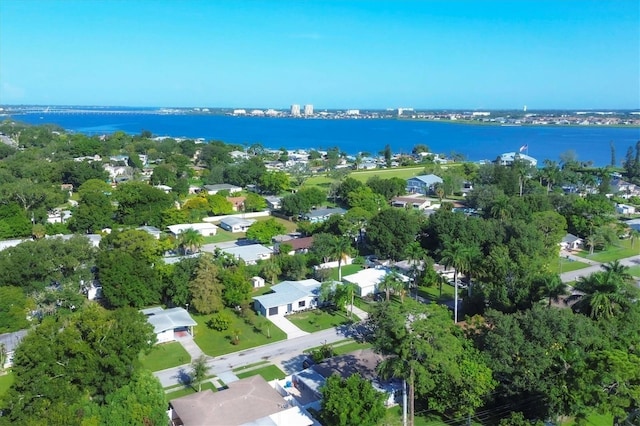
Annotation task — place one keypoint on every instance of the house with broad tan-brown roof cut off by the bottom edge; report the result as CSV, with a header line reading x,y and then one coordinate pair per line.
x,y
250,402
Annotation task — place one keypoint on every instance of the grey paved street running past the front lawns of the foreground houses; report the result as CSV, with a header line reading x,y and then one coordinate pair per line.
x,y
287,354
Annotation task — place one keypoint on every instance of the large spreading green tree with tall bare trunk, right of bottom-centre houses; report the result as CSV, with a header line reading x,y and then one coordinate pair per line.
x,y
426,350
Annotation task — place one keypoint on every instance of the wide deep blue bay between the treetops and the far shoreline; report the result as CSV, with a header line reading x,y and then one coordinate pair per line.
x,y
475,142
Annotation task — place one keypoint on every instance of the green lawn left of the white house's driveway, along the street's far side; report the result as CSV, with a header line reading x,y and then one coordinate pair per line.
x,y
215,343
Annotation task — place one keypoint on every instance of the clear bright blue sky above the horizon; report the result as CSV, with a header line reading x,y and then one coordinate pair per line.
x,y
482,54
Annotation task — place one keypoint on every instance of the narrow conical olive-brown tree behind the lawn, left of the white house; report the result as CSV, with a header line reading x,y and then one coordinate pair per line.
x,y
206,288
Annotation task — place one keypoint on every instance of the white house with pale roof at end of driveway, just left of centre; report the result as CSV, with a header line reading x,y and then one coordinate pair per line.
x,y
288,297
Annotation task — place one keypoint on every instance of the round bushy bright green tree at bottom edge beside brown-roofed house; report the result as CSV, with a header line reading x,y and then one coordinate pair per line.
x,y
350,401
